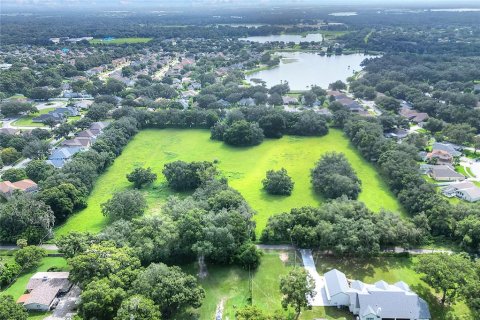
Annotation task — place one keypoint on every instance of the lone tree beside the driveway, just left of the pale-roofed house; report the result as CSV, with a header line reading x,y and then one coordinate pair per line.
x,y
296,287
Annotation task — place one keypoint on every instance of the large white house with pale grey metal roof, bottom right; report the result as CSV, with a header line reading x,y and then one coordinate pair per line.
x,y
375,301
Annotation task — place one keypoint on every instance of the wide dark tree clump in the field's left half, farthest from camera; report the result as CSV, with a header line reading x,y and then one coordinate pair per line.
x,y
183,176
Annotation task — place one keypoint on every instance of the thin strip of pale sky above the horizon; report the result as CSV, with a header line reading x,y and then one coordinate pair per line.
x,y
200,3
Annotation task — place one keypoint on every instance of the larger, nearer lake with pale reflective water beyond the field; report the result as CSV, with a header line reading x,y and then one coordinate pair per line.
x,y
302,69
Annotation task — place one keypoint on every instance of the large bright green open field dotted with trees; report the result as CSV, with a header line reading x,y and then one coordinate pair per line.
x,y
244,167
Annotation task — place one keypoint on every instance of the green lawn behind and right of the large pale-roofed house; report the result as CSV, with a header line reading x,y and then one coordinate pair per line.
x,y
391,269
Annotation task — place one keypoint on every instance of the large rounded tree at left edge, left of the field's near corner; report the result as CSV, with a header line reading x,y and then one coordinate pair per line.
x,y
26,218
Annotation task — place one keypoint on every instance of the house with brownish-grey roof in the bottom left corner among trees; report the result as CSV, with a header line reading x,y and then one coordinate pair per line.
x,y
43,290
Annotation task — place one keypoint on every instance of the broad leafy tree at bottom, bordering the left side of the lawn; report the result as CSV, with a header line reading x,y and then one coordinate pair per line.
x,y
170,288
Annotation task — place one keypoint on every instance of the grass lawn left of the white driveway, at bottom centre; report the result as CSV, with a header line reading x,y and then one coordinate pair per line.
x,y
231,284
